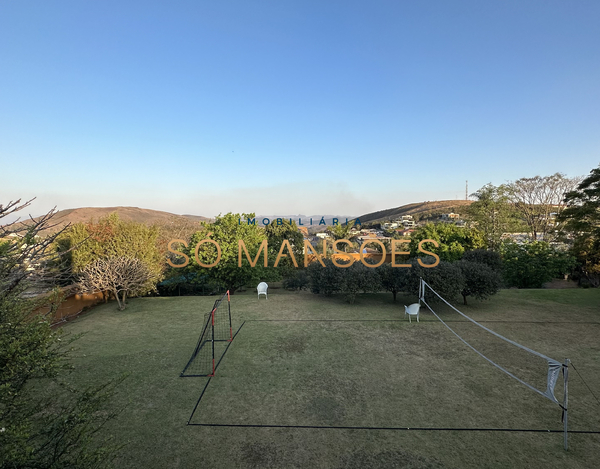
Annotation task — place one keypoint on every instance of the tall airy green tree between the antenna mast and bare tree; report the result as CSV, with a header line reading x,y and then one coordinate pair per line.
x,y
493,214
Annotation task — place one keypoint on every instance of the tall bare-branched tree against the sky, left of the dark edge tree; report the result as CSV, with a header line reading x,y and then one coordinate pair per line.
x,y
539,199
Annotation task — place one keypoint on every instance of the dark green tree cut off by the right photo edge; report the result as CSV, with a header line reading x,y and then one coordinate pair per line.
x,y
582,218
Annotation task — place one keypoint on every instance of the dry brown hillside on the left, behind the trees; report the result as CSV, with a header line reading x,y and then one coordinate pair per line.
x,y
140,215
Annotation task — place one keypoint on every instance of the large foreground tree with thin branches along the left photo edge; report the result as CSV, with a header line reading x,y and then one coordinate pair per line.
x,y
36,429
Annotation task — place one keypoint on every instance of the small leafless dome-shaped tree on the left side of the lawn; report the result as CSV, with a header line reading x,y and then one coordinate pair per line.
x,y
123,276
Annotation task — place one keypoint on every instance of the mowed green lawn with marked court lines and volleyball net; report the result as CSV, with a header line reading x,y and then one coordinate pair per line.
x,y
308,360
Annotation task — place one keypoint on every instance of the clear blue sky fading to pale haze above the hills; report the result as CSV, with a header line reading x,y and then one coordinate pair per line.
x,y
287,107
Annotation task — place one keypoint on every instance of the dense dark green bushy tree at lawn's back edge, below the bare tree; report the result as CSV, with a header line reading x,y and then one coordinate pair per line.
x,y
532,264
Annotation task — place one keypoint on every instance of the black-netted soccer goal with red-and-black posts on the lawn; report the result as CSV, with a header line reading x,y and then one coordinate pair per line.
x,y
216,327
